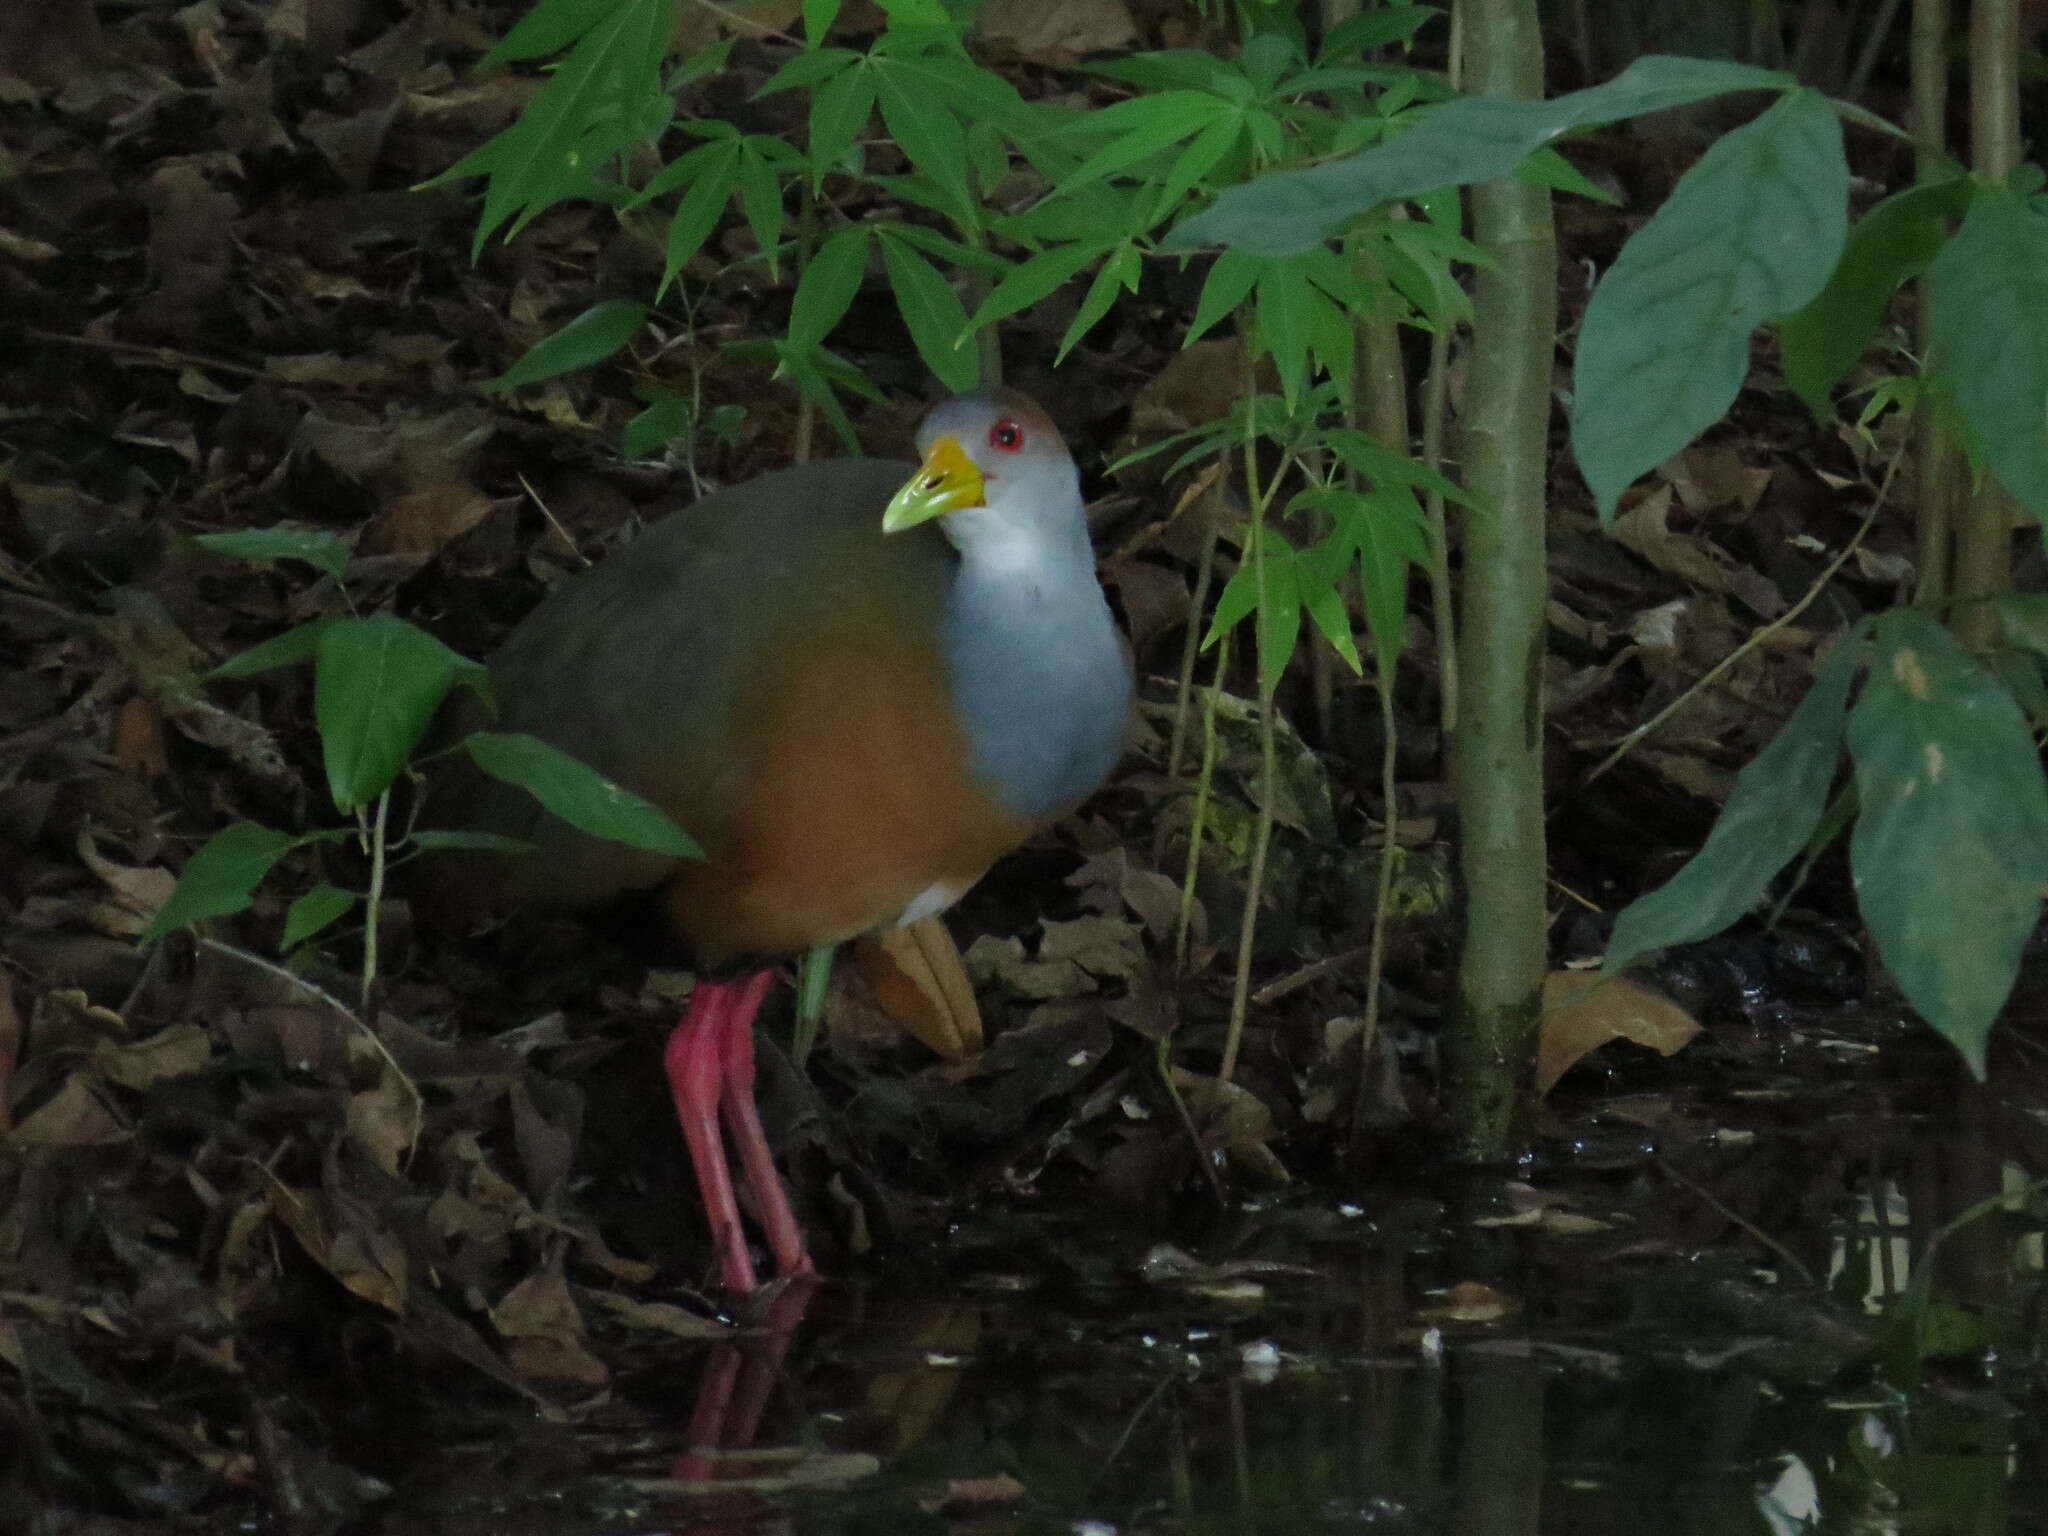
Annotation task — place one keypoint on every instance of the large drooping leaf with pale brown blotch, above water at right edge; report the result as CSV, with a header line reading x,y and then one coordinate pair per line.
x,y
1951,847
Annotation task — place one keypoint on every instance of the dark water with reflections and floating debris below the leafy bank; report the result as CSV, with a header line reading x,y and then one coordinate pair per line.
x,y
1703,1312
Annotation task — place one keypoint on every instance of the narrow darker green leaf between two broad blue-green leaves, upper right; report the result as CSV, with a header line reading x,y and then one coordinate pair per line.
x,y
1893,243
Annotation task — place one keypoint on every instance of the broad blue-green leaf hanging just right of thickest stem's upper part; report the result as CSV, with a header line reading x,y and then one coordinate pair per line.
x,y
1750,232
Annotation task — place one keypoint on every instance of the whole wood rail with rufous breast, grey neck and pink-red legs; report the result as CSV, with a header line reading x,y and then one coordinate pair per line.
x,y
857,685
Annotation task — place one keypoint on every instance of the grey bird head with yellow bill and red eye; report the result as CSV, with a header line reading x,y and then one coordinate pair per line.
x,y
998,476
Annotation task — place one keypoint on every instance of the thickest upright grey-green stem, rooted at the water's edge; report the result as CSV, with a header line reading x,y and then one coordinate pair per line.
x,y
1500,732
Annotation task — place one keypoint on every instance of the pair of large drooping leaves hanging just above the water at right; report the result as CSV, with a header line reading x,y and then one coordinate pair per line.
x,y
1951,841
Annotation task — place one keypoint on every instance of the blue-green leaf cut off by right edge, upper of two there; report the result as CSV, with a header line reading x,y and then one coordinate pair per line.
x,y
1988,298
